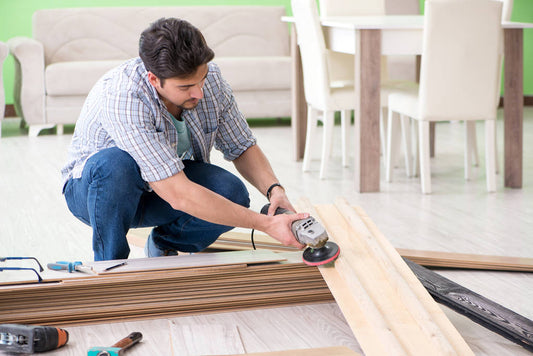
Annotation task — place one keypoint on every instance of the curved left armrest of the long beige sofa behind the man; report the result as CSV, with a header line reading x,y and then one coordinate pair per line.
x,y
29,79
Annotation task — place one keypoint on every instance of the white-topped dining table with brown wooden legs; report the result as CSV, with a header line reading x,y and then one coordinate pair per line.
x,y
369,37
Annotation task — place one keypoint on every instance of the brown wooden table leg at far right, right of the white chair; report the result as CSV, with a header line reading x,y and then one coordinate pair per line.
x,y
513,106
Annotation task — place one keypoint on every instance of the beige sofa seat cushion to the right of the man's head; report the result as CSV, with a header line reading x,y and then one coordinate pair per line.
x,y
259,73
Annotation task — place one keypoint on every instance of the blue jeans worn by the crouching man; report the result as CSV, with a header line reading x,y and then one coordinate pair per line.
x,y
111,197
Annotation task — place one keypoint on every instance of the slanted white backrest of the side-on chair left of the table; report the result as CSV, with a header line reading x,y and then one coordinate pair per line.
x,y
313,51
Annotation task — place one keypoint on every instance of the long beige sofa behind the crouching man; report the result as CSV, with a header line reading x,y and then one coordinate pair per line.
x,y
72,48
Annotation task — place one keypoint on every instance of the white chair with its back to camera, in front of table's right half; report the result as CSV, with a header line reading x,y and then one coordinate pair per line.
x,y
459,78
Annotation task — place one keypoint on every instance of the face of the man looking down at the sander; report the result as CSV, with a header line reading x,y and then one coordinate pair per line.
x,y
185,93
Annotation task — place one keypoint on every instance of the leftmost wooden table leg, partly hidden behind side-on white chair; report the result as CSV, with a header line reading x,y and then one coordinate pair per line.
x,y
299,105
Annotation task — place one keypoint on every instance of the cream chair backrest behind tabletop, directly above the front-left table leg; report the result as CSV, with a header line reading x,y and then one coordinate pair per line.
x,y
351,7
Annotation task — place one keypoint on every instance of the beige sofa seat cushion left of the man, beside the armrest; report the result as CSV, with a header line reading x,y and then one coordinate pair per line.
x,y
75,78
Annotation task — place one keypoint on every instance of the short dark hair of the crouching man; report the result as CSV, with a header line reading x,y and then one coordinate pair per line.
x,y
173,47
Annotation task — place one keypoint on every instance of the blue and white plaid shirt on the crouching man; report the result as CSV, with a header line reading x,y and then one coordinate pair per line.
x,y
124,110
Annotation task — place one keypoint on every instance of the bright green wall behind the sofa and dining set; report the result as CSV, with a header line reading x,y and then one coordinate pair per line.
x,y
15,20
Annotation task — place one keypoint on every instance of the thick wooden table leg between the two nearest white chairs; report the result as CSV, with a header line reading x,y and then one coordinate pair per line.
x,y
367,87
